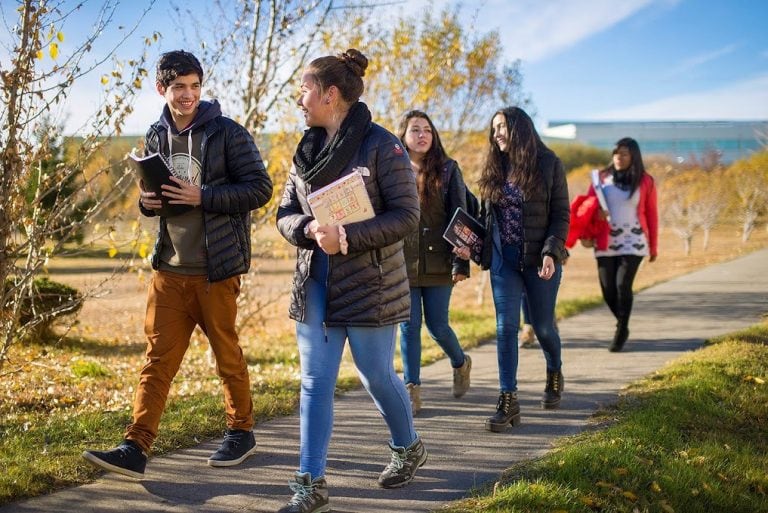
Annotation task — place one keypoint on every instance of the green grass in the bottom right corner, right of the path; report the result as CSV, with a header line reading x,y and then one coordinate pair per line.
x,y
691,438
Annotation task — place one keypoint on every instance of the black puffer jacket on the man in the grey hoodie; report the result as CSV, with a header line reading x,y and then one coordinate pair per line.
x,y
234,181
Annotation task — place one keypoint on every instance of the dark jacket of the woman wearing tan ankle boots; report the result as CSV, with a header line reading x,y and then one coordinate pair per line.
x,y
428,256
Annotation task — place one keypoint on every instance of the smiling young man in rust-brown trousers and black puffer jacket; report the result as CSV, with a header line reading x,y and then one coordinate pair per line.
x,y
198,259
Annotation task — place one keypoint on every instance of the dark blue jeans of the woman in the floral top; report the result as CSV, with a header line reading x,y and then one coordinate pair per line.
x,y
507,284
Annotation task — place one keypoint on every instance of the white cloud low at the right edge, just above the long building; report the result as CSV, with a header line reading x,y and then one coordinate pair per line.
x,y
743,100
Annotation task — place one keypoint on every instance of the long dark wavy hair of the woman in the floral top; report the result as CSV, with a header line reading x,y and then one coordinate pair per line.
x,y
518,163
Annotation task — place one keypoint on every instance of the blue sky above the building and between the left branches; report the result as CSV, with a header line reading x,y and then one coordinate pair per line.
x,y
582,60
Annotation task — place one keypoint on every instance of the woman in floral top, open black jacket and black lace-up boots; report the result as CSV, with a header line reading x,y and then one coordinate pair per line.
x,y
525,210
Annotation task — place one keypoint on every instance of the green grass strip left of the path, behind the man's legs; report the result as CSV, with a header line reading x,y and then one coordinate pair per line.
x,y
40,453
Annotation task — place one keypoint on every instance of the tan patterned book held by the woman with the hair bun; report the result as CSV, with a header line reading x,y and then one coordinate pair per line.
x,y
342,201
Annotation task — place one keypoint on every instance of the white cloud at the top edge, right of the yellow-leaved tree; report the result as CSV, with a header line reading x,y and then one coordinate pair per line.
x,y
533,30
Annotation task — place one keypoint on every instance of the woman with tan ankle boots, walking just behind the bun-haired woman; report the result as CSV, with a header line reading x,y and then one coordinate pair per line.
x,y
433,269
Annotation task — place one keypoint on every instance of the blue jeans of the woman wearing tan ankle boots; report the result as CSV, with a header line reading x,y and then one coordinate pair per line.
x,y
435,301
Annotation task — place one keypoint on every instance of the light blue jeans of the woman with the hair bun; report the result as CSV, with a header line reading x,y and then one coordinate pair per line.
x,y
320,351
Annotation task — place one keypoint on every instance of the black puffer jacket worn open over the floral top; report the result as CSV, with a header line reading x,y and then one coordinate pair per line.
x,y
546,216
